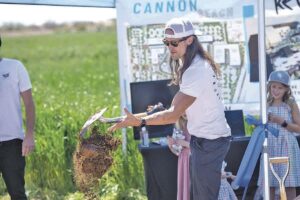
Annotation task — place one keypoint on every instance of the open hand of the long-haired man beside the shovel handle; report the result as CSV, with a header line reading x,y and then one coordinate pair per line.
x,y
129,120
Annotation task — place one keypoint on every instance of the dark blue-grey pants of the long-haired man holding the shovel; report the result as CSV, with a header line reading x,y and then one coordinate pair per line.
x,y
205,166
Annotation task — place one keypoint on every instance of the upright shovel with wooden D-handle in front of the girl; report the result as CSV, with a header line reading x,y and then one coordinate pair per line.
x,y
280,160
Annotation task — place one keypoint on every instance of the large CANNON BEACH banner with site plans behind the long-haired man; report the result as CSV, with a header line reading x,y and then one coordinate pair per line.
x,y
227,29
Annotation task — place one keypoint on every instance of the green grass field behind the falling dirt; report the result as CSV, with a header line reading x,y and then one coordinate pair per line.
x,y
73,76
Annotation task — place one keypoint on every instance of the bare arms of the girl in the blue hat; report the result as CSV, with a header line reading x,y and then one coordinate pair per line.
x,y
293,126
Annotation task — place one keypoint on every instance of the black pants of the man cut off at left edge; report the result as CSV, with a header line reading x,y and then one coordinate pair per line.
x,y
12,167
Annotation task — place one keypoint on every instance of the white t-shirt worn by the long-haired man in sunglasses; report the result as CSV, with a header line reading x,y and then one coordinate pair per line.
x,y
206,117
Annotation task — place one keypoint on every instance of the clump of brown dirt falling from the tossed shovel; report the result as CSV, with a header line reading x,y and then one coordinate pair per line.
x,y
93,158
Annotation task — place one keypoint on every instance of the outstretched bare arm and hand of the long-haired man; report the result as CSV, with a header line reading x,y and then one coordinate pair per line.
x,y
180,103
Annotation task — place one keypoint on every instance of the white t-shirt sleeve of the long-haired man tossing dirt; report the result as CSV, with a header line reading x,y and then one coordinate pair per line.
x,y
193,81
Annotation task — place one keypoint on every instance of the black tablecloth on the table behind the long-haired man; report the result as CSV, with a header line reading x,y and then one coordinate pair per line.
x,y
160,166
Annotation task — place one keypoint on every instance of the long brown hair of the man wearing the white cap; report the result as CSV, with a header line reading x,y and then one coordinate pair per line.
x,y
192,50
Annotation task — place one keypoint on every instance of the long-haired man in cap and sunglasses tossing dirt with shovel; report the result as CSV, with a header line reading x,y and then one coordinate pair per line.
x,y
200,98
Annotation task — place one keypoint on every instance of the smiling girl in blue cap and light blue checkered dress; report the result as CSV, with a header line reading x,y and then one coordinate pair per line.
x,y
283,115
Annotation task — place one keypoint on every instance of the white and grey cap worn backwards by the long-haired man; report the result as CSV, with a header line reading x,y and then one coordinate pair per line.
x,y
181,27
